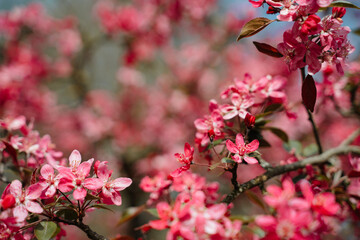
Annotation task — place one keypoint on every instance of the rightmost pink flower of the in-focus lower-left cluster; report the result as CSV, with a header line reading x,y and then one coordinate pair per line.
x,y
111,188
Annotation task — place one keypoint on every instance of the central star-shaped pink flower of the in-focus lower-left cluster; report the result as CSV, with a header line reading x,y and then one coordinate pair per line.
x,y
75,177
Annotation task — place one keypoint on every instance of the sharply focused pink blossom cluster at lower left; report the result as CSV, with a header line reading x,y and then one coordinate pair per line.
x,y
54,186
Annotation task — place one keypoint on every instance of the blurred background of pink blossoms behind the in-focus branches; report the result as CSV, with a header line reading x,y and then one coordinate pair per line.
x,y
124,81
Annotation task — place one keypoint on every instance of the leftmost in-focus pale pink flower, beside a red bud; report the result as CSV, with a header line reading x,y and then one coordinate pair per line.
x,y
25,199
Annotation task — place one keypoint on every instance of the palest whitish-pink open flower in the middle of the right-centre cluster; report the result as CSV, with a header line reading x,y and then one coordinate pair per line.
x,y
239,107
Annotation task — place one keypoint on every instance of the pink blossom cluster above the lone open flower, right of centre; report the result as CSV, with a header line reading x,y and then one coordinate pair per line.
x,y
246,96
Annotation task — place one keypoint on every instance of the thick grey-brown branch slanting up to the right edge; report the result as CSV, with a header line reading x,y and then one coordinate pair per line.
x,y
276,171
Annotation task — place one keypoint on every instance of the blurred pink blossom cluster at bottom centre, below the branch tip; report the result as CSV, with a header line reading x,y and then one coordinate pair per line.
x,y
194,214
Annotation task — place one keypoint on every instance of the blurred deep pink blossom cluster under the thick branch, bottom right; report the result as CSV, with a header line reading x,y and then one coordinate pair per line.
x,y
309,216
